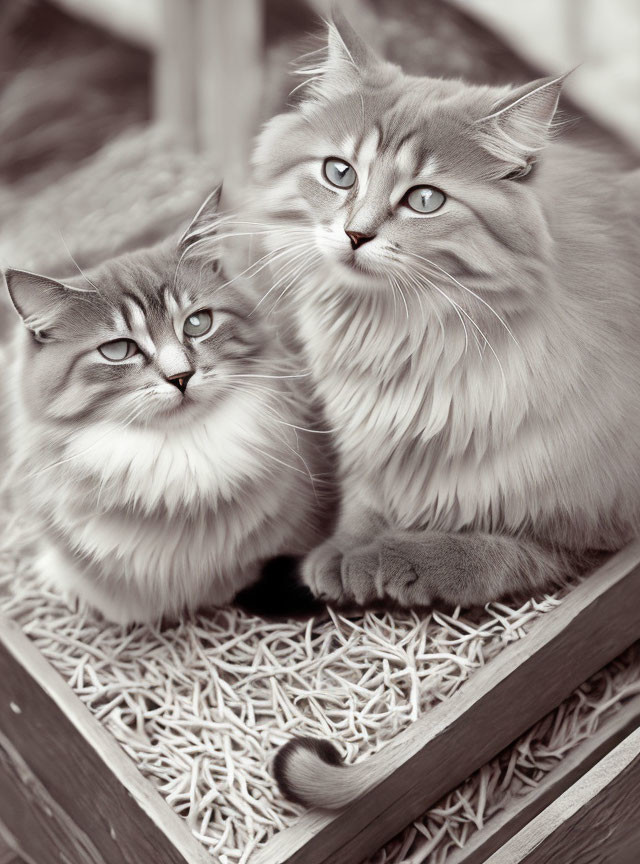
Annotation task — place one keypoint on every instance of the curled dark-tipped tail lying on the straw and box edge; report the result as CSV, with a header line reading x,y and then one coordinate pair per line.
x,y
310,771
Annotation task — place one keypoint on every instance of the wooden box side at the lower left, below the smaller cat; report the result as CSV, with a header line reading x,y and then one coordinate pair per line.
x,y
68,791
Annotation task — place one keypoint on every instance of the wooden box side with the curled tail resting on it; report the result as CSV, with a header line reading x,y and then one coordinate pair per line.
x,y
529,678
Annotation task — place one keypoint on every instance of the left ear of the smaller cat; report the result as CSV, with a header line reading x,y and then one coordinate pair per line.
x,y
40,301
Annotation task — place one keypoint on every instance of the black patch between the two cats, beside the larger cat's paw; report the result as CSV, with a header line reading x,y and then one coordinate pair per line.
x,y
280,593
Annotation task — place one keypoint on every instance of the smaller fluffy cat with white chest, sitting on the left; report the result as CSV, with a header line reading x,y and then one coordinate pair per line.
x,y
159,431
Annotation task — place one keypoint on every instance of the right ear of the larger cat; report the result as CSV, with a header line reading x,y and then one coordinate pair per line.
x,y
521,122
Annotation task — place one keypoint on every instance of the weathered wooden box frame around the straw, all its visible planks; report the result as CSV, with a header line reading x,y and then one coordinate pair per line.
x,y
68,792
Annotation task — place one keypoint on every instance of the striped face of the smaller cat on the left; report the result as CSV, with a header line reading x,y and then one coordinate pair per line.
x,y
151,338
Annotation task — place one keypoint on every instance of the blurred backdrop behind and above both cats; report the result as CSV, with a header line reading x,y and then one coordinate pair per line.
x,y
118,116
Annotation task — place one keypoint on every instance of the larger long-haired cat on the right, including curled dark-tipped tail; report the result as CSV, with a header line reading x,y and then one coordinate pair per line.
x,y
466,290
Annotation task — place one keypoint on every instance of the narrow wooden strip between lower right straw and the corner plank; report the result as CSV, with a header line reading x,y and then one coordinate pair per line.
x,y
520,811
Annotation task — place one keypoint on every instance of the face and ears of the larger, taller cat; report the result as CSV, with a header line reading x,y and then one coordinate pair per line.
x,y
388,180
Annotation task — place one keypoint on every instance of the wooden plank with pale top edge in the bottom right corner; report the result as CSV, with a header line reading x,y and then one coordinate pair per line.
x,y
596,821
